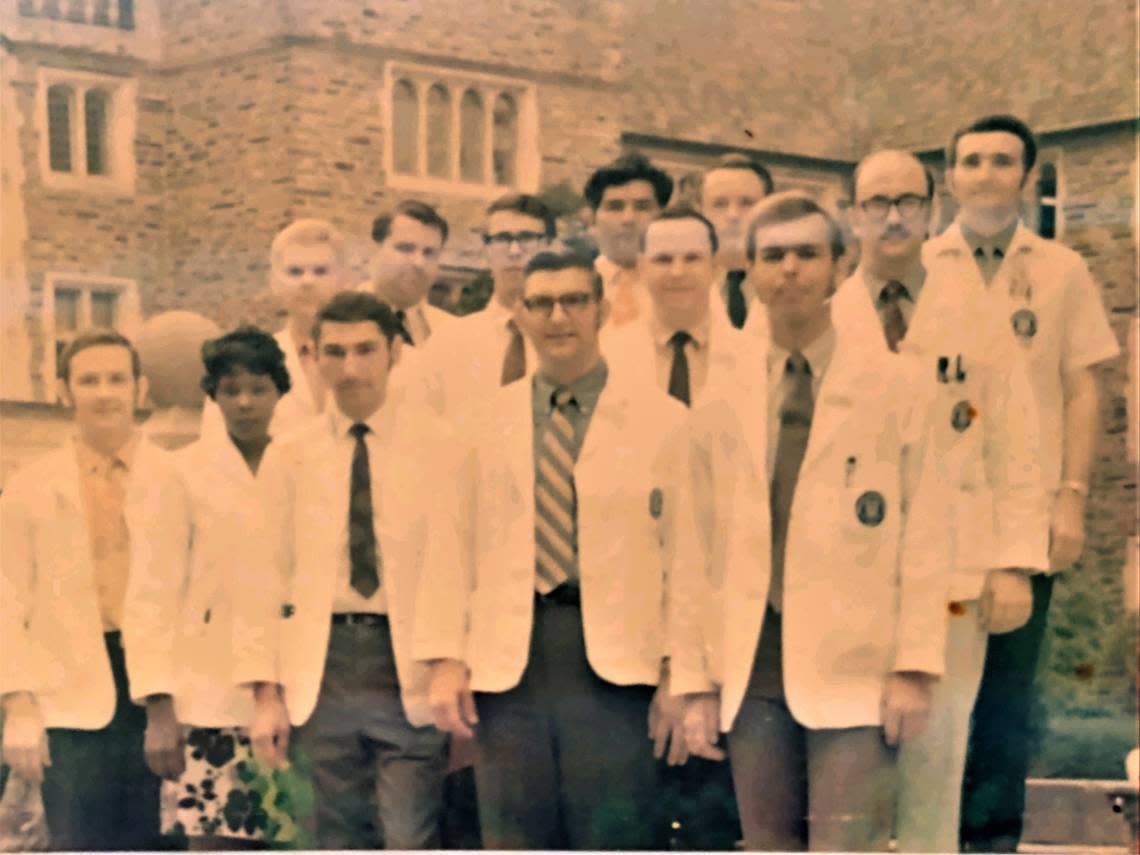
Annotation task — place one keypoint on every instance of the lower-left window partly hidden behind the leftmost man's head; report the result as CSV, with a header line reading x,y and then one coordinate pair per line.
x,y
77,303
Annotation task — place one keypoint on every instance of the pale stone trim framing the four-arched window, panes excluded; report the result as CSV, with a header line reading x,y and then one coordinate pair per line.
x,y
488,86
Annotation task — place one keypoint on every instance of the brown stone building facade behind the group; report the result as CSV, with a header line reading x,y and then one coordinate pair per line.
x,y
193,131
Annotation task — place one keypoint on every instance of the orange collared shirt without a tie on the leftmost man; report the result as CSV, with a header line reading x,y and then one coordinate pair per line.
x,y
103,483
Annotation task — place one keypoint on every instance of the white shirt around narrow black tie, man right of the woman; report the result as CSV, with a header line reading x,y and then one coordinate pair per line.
x,y
347,599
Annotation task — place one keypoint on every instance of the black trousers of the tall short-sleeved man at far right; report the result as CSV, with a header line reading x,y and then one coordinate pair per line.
x,y
1003,739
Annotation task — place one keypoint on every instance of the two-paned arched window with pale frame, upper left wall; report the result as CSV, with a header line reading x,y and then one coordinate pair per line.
x,y
87,131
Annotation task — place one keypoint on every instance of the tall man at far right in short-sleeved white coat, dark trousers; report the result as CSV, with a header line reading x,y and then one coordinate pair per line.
x,y
1045,297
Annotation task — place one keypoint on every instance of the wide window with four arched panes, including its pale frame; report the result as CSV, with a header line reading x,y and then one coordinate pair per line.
x,y
457,133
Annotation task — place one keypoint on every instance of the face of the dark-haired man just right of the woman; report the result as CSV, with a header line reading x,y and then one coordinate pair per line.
x,y
354,360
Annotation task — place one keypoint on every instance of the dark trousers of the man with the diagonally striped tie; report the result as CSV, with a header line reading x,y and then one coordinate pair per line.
x,y
565,759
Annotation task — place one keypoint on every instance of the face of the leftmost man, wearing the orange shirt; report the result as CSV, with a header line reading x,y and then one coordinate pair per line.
x,y
103,390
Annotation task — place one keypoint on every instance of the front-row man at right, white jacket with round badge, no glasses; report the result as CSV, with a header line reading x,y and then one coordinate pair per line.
x,y
821,659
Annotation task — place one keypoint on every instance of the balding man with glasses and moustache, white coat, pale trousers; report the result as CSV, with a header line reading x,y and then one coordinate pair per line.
x,y
984,435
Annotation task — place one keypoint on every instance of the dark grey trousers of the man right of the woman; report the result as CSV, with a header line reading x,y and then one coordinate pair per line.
x,y
378,780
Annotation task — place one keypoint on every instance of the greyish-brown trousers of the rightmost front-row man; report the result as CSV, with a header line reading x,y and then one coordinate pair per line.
x,y
801,788
